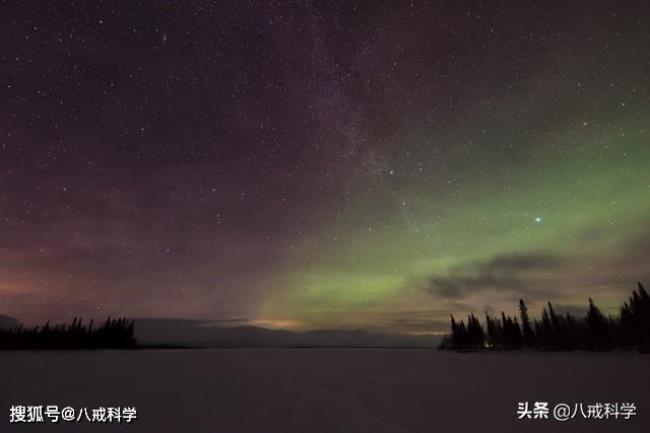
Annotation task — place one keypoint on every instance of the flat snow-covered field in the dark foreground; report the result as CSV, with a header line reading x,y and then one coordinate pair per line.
x,y
324,391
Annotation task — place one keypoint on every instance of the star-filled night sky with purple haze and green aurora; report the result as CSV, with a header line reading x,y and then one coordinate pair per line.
x,y
330,164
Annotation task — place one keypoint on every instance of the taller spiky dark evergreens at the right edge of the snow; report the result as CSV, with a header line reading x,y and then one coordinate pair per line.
x,y
555,331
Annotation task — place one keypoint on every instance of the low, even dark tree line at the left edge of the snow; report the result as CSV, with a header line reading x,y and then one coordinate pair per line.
x,y
112,334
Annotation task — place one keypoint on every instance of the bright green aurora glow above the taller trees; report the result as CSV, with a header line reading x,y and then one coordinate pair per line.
x,y
584,202
